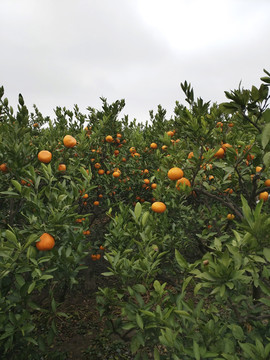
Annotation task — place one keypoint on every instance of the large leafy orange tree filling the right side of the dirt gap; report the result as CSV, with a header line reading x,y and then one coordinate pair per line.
x,y
224,155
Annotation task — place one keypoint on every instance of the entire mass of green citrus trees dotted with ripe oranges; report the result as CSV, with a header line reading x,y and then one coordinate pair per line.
x,y
188,237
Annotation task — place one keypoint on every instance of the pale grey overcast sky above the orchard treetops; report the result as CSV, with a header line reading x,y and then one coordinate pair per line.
x,y
66,52
